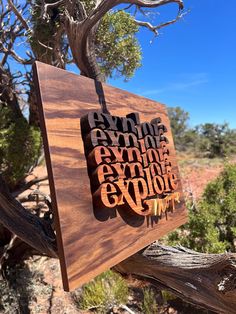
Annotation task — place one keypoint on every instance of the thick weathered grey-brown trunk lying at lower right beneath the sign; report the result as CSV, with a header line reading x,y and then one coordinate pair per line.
x,y
208,280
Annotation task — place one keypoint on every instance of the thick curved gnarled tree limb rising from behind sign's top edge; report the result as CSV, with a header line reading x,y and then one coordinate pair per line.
x,y
80,32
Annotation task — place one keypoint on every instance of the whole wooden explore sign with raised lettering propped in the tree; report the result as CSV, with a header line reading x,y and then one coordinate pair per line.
x,y
113,177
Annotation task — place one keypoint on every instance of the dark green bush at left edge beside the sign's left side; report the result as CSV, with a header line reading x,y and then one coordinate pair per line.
x,y
20,146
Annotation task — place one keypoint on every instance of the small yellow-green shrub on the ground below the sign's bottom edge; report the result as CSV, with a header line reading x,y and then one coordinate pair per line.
x,y
103,293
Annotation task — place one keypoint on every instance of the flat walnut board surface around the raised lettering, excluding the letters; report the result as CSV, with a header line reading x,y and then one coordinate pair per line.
x,y
90,244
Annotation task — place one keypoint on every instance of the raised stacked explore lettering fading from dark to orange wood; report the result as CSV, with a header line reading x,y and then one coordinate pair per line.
x,y
129,163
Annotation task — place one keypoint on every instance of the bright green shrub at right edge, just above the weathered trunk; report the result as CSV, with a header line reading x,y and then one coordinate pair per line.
x,y
211,227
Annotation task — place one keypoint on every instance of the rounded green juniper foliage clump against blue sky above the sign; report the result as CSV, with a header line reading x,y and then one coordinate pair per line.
x,y
117,48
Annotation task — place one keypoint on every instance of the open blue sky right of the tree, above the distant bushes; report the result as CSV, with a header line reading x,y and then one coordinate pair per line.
x,y
192,64
